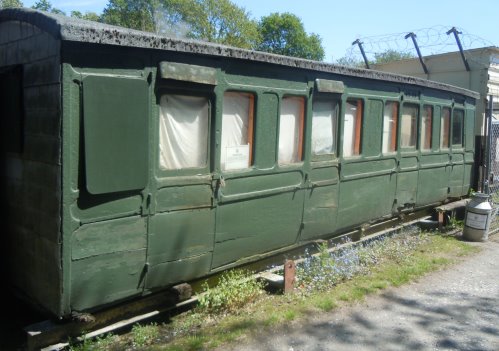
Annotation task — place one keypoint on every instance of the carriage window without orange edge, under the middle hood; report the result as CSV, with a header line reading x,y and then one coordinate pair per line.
x,y
324,117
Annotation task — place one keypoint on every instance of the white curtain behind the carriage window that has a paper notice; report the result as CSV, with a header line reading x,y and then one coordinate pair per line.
x,y
235,119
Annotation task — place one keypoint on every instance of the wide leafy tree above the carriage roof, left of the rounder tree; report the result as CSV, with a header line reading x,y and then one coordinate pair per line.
x,y
218,21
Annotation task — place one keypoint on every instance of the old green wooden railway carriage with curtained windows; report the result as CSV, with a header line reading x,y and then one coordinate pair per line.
x,y
134,162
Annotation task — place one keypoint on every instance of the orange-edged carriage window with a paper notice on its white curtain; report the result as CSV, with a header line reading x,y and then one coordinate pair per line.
x,y
237,131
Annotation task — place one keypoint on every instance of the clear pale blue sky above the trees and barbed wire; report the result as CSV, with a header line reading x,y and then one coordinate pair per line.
x,y
380,24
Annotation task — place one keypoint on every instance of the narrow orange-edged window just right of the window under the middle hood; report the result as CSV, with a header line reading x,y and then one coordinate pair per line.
x,y
352,125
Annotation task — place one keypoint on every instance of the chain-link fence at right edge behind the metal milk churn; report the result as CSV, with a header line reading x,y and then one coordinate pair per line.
x,y
491,162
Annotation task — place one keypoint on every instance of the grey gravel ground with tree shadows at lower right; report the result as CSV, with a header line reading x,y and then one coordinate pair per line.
x,y
452,309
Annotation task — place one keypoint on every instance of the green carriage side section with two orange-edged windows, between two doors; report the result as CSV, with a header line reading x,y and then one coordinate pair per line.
x,y
260,204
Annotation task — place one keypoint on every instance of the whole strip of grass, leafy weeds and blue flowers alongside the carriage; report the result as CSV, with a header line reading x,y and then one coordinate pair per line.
x,y
239,306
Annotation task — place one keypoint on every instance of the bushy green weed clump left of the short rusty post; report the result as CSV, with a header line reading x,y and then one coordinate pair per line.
x,y
235,289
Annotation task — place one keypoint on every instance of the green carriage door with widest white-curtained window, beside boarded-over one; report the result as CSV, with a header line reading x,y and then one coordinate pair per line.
x,y
181,225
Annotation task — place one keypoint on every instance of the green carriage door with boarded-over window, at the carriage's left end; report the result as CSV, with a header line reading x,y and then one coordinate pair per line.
x,y
108,248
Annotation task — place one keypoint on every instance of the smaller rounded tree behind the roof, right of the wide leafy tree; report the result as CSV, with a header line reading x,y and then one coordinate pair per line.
x,y
284,34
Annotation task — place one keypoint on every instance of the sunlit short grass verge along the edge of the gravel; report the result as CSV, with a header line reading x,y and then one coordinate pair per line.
x,y
382,266
